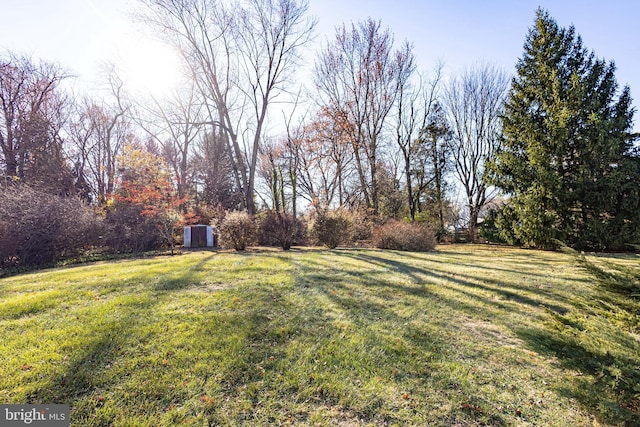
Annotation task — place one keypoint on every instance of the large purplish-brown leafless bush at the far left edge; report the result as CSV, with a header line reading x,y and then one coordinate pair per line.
x,y
39,228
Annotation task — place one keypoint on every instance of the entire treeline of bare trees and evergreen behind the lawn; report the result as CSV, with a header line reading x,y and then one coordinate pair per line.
x,y
548,156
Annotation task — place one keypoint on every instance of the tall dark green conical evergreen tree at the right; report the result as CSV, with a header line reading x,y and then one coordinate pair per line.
x,y
567,158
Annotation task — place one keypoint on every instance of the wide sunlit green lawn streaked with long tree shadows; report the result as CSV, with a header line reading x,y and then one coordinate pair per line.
x,y
467,335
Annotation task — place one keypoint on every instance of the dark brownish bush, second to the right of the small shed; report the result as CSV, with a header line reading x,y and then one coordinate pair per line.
x,y
280,229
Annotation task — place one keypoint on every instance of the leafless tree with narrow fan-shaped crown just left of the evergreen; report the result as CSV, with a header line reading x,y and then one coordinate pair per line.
x,y
474,102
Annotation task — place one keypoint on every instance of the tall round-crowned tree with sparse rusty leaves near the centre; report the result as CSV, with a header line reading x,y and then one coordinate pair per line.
x,y
357,75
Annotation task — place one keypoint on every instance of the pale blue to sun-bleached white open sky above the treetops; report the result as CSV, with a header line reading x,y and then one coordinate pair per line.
x,y
82,35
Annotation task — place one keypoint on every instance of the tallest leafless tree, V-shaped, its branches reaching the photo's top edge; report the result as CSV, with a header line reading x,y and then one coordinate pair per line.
x,y
241,56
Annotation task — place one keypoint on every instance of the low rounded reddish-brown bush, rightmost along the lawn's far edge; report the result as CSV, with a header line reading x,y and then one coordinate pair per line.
x,y
403,236
